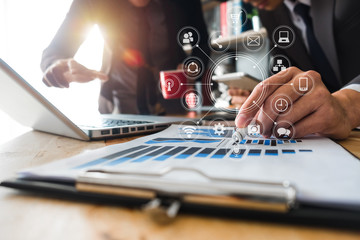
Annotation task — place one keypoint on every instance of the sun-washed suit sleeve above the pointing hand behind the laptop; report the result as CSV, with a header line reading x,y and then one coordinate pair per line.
x,y
70,35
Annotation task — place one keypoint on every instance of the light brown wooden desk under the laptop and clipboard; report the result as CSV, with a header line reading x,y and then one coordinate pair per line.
x,y
27,216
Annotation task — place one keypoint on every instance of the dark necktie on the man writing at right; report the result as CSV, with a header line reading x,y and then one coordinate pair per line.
x,y
318,57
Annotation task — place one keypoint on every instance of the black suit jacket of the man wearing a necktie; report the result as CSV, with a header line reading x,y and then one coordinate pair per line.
x,y
337,29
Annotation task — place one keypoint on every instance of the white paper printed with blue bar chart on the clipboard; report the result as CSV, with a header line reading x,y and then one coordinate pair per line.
x,y
320,169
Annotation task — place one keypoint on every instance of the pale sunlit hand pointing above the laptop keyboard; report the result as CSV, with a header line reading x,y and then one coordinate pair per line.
x,y
63,72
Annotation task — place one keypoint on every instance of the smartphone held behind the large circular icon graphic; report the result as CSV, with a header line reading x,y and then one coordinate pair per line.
x,y
238,80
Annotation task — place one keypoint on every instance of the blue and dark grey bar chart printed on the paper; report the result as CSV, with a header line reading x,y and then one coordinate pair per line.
x,y
164,149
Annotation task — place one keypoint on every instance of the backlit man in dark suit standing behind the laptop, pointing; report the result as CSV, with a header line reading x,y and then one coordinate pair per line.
x,y
140,40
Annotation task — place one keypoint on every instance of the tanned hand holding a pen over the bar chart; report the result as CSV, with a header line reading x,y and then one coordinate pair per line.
x,y
312,111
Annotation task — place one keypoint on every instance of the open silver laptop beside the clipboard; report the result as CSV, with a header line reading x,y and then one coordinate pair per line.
x,y
27,106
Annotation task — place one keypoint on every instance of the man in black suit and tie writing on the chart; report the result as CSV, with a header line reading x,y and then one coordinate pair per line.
x,y
326,50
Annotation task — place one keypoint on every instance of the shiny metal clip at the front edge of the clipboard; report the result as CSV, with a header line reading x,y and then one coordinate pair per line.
x,y
166,195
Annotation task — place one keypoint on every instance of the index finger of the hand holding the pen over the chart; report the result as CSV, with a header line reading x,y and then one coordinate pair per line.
x,y
261,92
